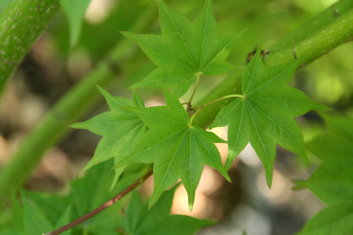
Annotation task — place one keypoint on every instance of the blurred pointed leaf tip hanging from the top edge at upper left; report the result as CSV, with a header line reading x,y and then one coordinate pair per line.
x,y
74,11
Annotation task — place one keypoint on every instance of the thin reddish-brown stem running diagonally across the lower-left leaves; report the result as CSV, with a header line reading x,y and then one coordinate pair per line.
x,y
102,207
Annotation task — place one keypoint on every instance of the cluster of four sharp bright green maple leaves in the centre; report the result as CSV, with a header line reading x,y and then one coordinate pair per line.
x,y
165,136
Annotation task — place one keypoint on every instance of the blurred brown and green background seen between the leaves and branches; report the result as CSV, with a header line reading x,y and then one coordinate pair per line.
x,y
51,68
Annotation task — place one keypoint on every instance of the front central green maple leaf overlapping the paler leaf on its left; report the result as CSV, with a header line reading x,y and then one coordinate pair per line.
x,y
177,149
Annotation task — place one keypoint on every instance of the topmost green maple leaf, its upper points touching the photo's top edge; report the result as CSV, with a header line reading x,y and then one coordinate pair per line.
x,y
185,50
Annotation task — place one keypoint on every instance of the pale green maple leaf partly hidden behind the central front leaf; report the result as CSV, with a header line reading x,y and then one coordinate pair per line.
x,y
120,128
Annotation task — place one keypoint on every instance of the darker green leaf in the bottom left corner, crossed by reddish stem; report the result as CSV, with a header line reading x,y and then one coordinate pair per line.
x,y
38,213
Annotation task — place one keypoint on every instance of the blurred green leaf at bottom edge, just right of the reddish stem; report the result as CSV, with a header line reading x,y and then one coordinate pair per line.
x,y
140,220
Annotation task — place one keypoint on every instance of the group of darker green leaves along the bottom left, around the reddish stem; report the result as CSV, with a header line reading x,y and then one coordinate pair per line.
x,y
39,213
